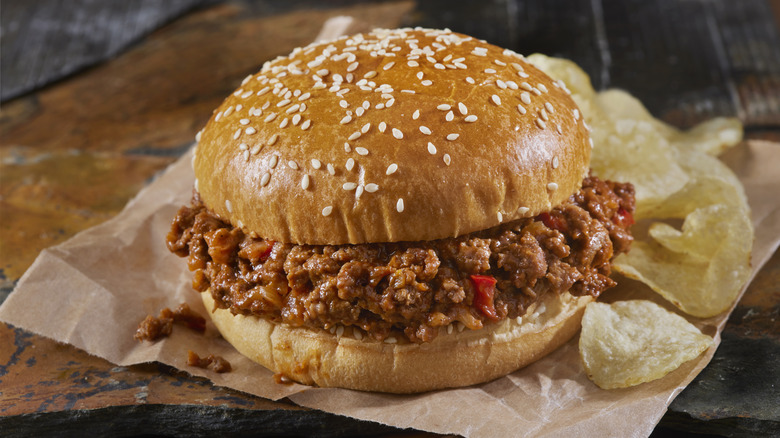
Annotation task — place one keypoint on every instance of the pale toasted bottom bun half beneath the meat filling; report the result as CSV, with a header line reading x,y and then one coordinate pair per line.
x,y
348,359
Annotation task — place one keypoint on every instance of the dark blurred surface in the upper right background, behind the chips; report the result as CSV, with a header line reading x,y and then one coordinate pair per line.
x,y
686,60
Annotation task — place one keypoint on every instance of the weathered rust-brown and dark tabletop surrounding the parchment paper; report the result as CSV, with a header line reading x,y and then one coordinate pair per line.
x,y
75,151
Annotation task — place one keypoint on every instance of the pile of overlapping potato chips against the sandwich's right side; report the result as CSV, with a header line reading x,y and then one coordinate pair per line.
x,y
702,267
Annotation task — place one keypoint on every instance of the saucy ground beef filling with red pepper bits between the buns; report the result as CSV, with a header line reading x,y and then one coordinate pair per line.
x,y
414,288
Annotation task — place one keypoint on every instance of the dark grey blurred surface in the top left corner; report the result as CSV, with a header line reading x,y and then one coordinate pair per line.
x,y
46,40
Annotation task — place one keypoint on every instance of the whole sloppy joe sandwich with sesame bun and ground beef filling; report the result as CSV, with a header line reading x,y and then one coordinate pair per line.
x,y
399,211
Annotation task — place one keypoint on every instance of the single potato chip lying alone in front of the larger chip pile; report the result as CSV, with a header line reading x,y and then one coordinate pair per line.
x,y
631,342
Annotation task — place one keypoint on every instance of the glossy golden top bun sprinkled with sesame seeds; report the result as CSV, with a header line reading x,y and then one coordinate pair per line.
x,y
394,135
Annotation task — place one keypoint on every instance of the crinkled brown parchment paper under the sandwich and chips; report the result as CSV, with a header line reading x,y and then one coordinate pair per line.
x,y
94,289
